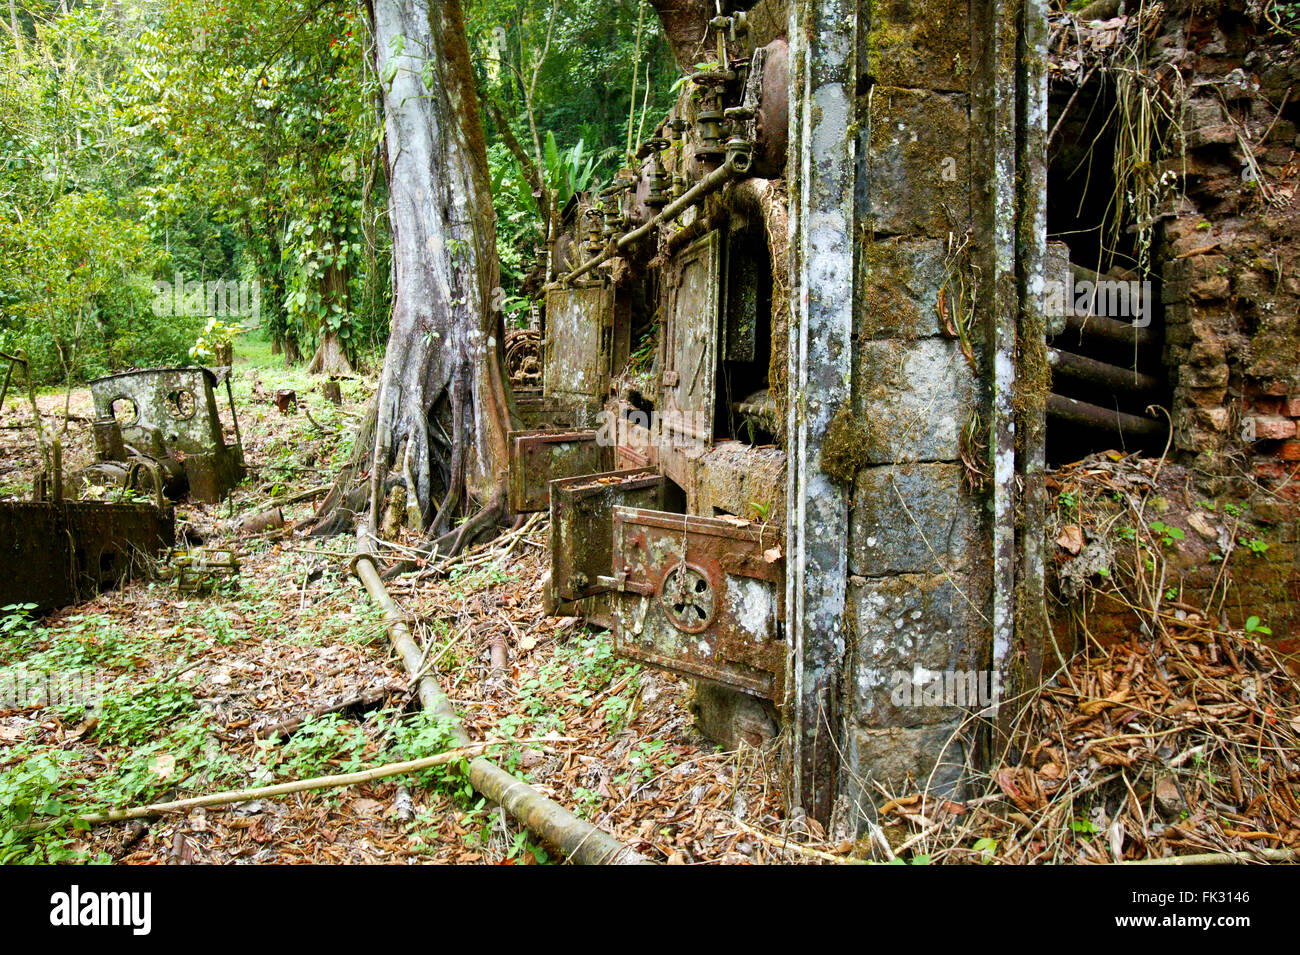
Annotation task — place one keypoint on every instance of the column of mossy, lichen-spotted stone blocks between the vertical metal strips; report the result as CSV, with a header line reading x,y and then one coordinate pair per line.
x,y
917,594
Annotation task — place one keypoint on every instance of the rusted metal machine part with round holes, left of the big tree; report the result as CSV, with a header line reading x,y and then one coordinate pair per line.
x,y
167,416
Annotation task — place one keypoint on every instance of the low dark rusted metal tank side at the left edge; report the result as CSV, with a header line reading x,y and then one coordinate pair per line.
x,y
58,553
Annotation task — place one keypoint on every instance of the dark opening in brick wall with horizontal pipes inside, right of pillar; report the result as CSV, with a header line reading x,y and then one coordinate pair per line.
x,y
1107,336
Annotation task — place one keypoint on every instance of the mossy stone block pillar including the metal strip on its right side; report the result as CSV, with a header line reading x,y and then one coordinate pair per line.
x,y
947,249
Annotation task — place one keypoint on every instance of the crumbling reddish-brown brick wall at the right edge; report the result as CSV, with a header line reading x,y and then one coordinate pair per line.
x,y
1230,253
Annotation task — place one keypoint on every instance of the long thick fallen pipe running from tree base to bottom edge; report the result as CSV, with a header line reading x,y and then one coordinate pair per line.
x,y
580,841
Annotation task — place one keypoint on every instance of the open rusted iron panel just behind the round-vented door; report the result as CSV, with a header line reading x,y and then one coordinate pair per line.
x,y
583,526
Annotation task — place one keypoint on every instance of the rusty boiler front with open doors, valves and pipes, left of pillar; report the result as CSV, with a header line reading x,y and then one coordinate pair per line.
x,y
665,484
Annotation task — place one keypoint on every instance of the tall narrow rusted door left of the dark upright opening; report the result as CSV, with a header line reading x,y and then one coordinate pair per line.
x,y
691,346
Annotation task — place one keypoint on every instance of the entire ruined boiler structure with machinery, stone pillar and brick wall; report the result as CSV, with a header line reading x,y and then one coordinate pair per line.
x,y
804,368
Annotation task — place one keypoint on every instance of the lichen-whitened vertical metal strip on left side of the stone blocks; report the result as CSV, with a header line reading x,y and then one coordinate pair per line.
x,y
824,57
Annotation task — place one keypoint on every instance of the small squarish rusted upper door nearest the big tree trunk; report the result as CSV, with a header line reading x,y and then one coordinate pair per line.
x,y
579,342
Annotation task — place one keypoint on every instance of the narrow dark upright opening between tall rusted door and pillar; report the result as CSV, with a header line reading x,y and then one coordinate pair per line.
x,y
746,410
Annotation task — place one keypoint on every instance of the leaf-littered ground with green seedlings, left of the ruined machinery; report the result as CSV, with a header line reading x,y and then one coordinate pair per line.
x,y
284,672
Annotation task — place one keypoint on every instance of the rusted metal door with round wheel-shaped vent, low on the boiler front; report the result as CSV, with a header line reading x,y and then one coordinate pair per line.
x,y
700,597
